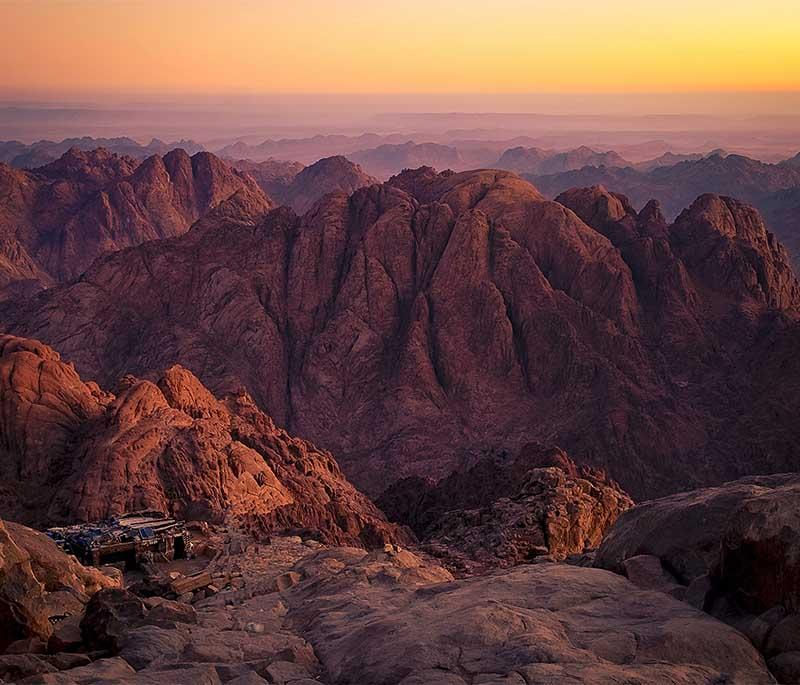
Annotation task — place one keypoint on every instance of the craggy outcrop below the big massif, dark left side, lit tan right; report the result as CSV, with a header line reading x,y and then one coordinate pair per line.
x,y
502,512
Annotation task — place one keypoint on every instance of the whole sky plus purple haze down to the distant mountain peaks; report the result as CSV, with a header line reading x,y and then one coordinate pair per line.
x,y
703,75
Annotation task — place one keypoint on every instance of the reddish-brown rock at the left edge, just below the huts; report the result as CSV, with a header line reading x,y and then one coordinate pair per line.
x,y
39,582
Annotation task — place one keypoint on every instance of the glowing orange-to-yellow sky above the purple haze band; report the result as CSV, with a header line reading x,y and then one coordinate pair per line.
x,y
205,46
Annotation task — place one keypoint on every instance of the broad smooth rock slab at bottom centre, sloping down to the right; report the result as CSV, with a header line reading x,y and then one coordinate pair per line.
x,y
398,620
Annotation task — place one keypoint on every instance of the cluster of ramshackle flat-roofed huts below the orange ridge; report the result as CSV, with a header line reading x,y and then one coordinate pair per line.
x,y
135,539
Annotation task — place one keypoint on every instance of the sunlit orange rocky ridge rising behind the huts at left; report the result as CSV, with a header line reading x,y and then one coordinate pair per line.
x,y
74,452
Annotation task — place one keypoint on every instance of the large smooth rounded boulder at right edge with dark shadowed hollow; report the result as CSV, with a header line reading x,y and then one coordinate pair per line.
x,y
744,536
